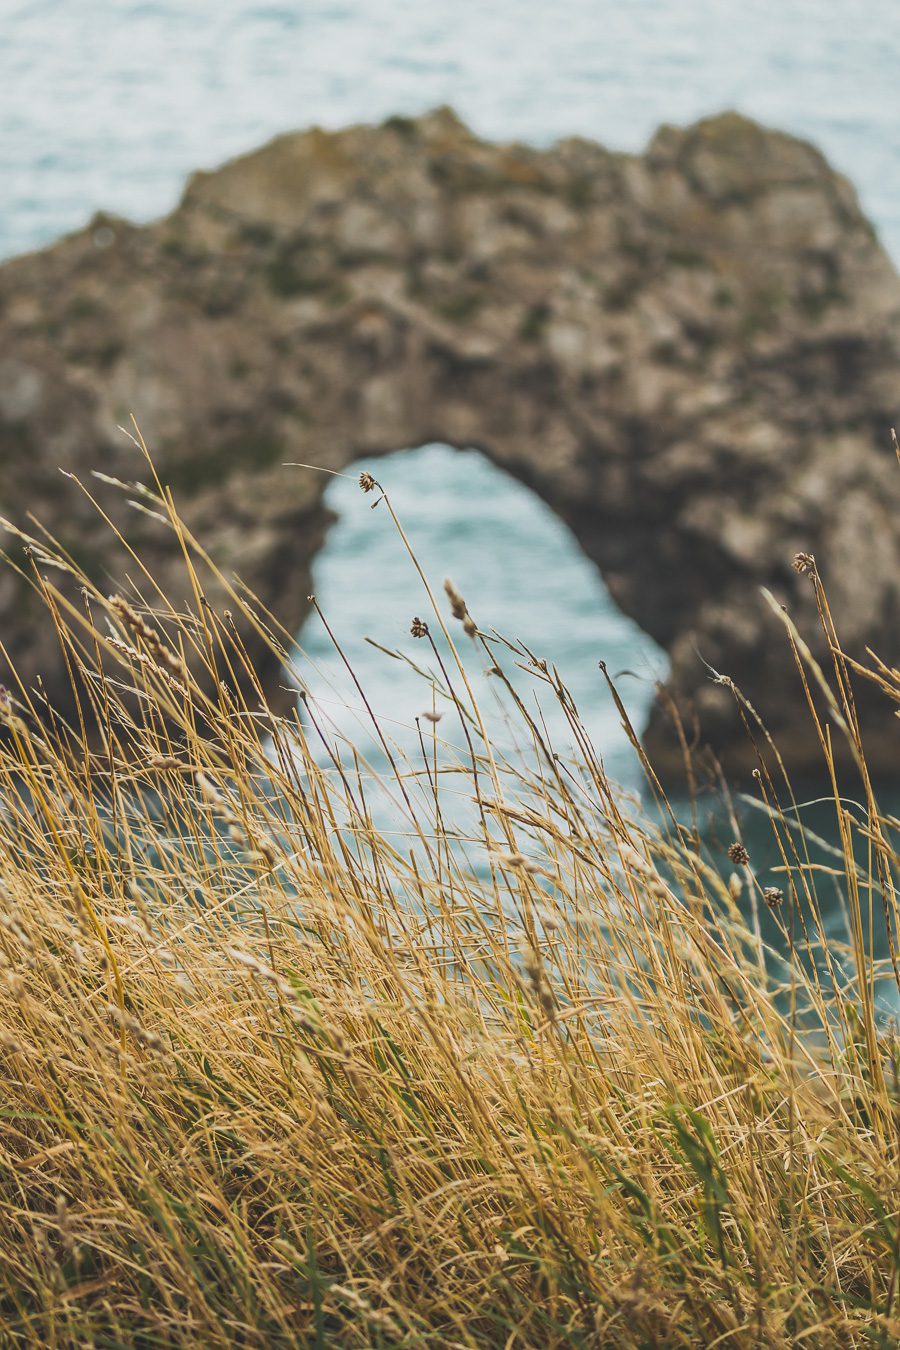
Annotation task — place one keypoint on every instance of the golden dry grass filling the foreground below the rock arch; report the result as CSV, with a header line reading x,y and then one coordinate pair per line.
x,y
275,1077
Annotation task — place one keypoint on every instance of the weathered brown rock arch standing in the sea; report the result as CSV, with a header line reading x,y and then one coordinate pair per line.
x,y
693,356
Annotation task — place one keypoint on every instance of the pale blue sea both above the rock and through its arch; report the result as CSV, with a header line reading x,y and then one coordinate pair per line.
x,y
110,105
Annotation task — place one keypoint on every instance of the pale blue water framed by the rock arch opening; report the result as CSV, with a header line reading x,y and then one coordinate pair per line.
x,y
522,572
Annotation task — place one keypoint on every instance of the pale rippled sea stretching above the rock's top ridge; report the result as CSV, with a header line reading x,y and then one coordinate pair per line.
x,y
111,103
